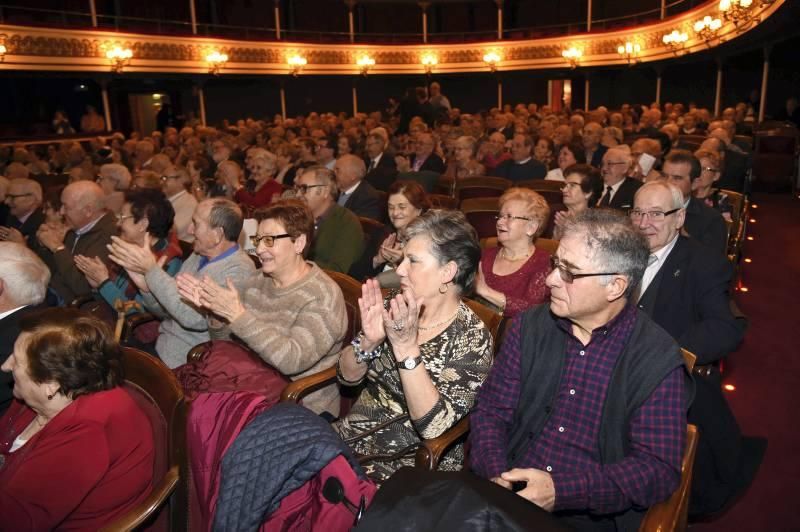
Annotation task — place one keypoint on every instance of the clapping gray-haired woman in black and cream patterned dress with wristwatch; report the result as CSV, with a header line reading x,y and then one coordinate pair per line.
x,y
423,354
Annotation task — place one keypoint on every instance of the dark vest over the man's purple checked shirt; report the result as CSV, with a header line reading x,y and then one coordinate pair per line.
x,y
649,356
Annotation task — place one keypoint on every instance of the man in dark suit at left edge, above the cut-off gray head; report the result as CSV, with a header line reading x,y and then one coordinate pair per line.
x,y
24,200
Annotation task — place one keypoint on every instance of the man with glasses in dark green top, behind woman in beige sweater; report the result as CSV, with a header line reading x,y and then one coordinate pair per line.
x,y
338,237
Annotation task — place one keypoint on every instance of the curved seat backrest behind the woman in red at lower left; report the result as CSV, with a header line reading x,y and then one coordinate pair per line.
x,y
156,389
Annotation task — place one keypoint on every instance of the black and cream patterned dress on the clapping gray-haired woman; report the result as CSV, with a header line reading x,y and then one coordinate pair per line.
x,y
458,361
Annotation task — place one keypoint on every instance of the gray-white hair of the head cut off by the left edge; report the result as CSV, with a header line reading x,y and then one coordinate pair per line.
x,y
25,276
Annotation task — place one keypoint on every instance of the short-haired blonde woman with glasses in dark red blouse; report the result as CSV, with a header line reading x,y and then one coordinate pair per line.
x,y
512,274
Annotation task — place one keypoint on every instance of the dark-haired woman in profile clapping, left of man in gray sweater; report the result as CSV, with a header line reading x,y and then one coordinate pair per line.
x,y
146,219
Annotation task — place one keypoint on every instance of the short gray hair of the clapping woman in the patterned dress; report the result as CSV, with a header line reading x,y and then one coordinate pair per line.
x,y
452,239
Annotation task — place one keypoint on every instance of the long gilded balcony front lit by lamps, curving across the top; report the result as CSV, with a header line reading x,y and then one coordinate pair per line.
x,y
45,49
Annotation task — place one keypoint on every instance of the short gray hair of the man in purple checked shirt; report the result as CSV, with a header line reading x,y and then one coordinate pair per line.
x,y
618,246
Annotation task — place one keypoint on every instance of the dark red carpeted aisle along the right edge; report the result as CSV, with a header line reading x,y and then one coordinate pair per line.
x,y
766,369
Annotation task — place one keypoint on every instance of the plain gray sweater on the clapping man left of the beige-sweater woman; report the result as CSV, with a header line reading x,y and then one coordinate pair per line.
x,y
184,325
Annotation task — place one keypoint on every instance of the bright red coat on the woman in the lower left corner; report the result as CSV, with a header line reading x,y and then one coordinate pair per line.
x,y
89,465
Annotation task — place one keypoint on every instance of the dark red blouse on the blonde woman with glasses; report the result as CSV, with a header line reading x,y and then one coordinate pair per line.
x,y
525,287
